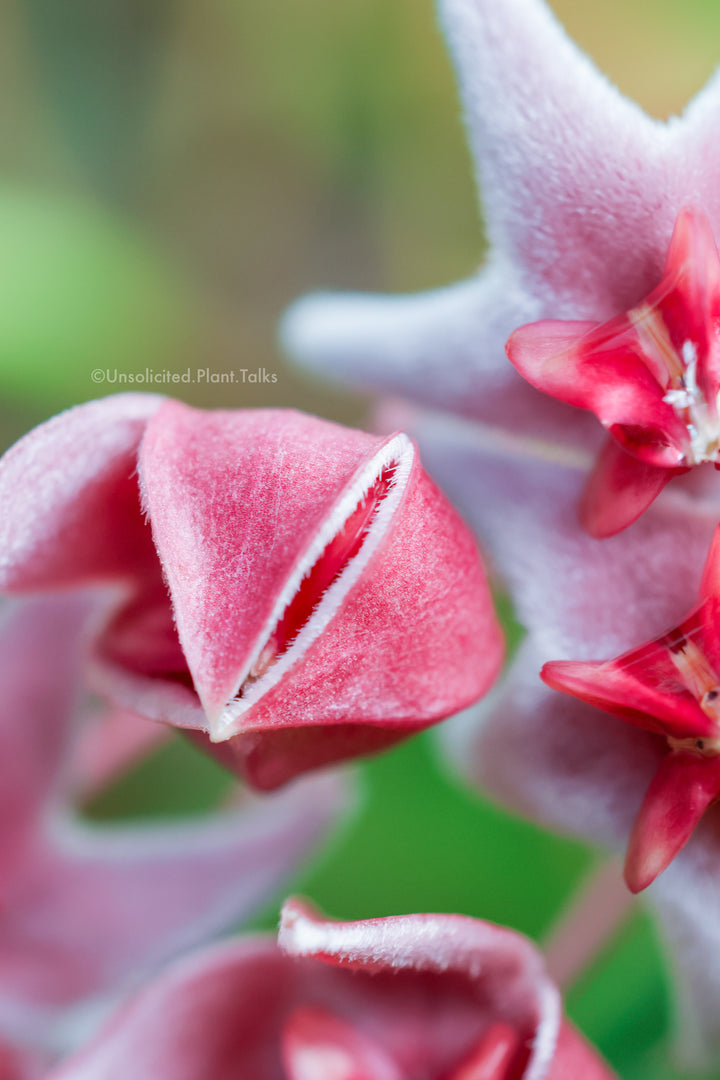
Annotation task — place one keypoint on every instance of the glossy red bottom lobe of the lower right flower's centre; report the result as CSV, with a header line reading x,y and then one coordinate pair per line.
x,y
681,793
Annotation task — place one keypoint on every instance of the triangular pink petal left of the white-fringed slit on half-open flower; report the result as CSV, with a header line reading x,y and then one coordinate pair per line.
x,y
236,499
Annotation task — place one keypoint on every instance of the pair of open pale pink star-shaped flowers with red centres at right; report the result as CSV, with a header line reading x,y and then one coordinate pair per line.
x,y
603,290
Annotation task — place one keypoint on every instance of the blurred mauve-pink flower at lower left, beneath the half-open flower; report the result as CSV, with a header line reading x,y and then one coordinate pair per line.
x,y
88,910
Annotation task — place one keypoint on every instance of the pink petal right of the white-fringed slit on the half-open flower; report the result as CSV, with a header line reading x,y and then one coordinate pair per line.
x,y
417,643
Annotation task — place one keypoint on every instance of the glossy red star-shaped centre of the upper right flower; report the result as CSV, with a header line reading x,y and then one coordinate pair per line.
x,y
651,376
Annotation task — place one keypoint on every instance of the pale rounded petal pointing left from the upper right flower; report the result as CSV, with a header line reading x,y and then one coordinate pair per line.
x,y
444,348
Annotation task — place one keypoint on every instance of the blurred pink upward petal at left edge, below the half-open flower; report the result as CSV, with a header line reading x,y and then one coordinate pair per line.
x,y
40,650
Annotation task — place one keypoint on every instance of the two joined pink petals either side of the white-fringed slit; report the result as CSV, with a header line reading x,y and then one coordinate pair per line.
x,y
387,649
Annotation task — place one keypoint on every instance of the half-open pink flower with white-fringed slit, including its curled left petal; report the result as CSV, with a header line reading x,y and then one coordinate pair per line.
x,y
300,590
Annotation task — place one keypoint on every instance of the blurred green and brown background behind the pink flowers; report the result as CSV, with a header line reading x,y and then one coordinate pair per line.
x,y
171,175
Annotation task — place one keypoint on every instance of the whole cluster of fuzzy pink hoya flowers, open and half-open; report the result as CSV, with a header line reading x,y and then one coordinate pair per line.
x,y
293,595
